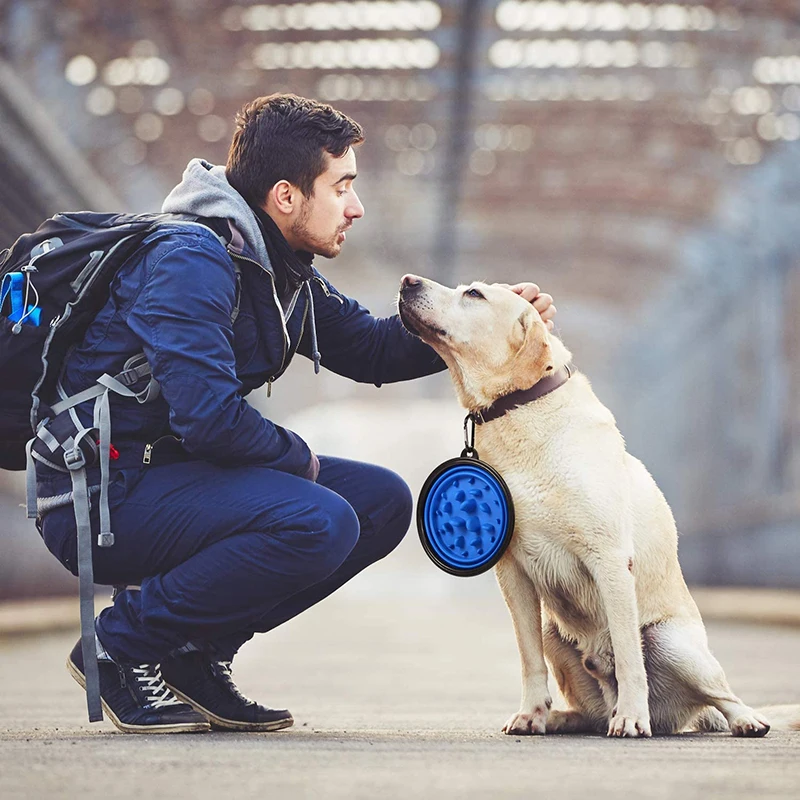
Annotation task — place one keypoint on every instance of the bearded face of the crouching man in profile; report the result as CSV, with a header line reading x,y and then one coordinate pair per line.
x,y
324,217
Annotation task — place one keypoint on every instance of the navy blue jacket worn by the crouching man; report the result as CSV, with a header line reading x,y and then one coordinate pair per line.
x,y
175,303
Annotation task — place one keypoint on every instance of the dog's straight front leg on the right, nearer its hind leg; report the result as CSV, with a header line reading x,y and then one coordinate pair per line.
x,y
613,576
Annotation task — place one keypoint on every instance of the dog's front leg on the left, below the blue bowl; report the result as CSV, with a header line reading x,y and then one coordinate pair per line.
x,y
523,602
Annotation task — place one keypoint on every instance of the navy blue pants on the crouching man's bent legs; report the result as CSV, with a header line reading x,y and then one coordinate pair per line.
x,y
222,553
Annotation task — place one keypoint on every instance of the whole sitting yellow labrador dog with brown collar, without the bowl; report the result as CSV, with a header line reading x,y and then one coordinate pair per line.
x,y
591,577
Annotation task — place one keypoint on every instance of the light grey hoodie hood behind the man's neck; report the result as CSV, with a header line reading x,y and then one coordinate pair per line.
x,y
204,191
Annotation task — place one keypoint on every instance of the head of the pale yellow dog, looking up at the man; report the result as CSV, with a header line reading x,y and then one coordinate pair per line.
x,y
493,341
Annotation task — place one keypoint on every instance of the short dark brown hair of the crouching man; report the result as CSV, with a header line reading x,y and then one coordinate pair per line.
x,y
285,137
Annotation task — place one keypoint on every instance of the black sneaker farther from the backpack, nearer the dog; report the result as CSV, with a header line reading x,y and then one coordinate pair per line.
x,y
208,687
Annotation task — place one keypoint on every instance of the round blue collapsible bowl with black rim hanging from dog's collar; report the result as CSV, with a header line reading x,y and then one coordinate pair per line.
x,y
465,516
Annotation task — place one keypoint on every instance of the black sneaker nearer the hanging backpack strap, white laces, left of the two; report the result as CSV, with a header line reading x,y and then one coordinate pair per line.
x,y
136,698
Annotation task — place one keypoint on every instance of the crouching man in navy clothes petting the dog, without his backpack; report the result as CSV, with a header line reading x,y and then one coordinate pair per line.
x,y
229,522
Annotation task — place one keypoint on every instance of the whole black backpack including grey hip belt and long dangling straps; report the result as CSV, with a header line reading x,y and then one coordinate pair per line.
x,y
54,283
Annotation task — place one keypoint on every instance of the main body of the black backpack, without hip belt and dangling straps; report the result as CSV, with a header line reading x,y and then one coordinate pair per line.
x,y
54,282
